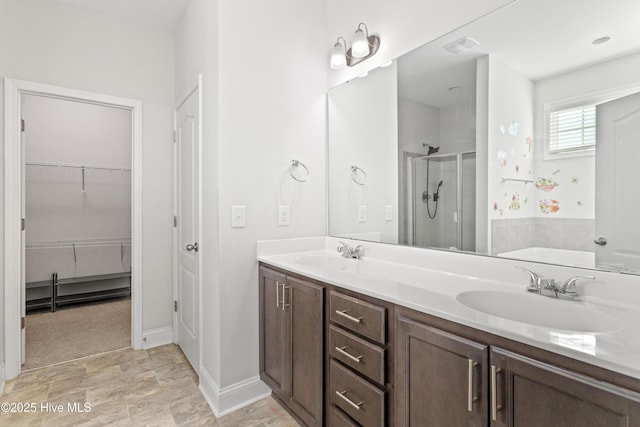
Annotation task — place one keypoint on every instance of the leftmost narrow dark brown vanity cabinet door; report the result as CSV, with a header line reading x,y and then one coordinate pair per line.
x,y
273,331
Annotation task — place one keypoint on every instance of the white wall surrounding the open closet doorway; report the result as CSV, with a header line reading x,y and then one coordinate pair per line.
x,y
47,42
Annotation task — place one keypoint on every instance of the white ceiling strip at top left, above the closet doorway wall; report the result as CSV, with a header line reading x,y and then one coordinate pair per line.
x,y
162,15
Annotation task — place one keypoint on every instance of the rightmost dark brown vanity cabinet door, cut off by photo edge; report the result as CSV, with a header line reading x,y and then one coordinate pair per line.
x,y
531,393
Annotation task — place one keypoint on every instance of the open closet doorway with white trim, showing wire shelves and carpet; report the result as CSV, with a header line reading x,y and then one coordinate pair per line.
x,y
78,247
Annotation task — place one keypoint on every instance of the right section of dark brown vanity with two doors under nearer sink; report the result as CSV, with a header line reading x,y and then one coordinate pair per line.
x,y
443,379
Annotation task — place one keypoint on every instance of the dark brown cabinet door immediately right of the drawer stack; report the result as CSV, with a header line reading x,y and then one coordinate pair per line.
x,y
441,379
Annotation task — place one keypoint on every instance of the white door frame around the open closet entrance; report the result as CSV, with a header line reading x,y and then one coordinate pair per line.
x,y
13,164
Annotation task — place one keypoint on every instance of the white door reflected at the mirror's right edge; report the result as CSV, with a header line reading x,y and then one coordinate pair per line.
x,y
617,207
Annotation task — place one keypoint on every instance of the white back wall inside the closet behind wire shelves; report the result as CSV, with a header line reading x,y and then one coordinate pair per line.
x,y
57,209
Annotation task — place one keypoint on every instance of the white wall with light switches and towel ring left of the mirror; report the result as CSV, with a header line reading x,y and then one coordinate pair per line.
x,y
259,114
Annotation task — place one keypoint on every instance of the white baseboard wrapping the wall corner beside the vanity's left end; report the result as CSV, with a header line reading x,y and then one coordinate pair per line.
x,y
229,399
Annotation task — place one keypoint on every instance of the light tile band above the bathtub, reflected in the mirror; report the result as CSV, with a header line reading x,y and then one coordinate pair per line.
x,y
559,233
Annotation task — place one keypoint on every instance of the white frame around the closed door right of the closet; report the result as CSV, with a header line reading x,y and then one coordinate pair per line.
x,y
194,87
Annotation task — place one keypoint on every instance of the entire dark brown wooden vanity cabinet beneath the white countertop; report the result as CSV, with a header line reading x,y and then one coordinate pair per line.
x,y
353,360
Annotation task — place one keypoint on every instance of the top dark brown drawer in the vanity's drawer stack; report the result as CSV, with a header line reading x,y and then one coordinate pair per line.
x,y
359,316
